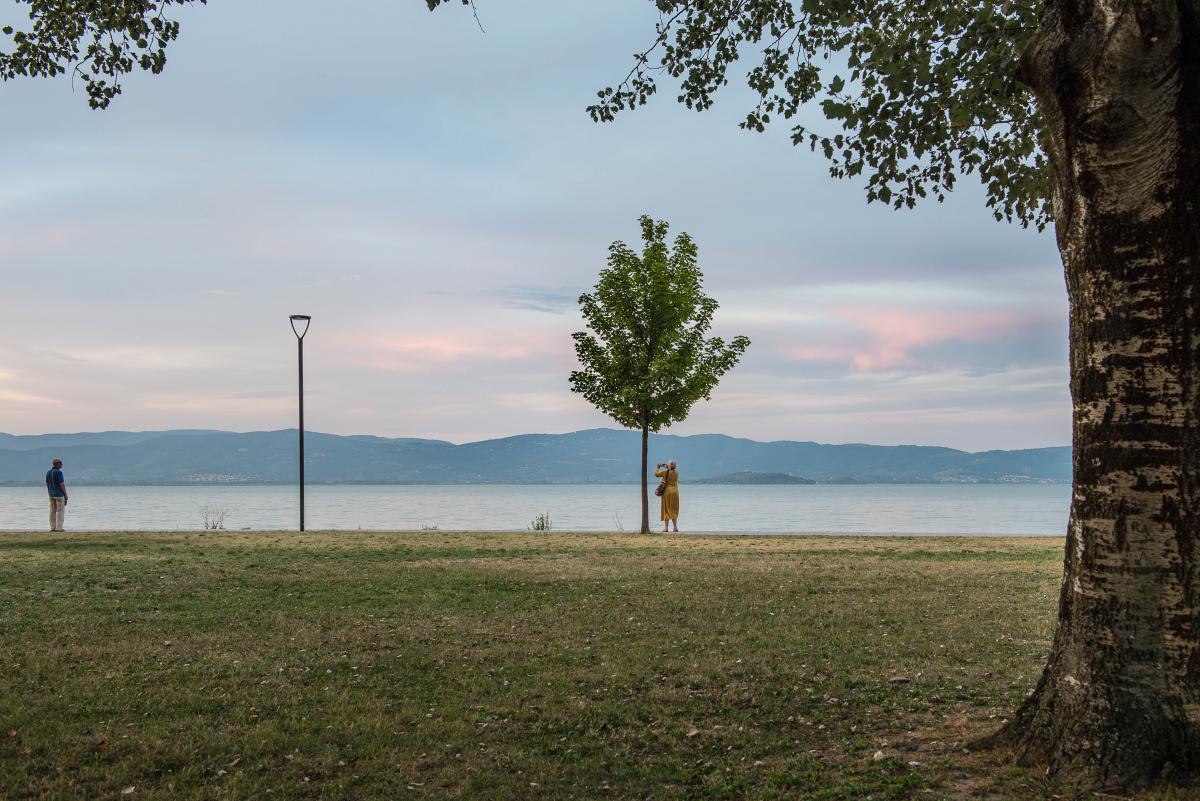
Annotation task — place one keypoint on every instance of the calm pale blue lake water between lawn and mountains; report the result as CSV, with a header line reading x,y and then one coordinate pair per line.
x,y
871,509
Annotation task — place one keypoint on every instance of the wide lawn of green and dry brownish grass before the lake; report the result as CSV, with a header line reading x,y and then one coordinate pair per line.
x,y
517,666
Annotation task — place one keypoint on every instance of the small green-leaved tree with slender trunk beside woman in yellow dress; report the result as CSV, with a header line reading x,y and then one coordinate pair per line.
x,y
646,358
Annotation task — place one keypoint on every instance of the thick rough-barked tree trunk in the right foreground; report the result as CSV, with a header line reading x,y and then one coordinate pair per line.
x,y
1119,703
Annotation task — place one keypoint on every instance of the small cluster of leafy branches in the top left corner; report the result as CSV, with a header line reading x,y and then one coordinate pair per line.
x,y
100,41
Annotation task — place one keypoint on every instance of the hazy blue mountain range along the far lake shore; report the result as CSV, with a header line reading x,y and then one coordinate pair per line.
x,y
595,456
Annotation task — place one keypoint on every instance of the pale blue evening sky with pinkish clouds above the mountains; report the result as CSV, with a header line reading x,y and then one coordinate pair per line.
x,y
435,196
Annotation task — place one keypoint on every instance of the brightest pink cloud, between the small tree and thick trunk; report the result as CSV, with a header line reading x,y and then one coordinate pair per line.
x,y
875,340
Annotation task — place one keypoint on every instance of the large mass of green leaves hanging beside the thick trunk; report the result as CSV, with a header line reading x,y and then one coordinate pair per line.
x,y
920,92
